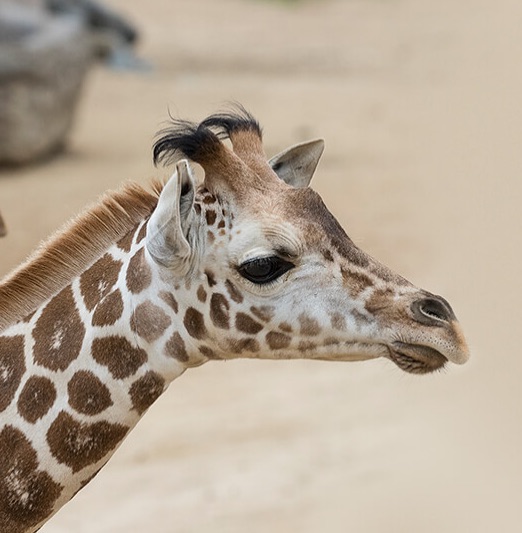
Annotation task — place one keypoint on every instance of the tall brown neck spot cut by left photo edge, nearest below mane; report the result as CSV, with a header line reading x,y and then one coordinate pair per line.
x,y
12,368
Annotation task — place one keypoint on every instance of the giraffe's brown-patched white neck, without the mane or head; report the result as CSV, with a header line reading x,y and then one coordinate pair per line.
x,y
77,375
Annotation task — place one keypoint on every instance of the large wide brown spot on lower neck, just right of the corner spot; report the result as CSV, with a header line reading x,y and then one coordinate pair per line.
x,y
79,444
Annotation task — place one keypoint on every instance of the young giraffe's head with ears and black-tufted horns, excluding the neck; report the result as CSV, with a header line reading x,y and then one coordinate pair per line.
x,y
275,274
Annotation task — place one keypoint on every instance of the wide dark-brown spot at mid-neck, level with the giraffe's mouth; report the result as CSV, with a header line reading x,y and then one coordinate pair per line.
x,y
118,355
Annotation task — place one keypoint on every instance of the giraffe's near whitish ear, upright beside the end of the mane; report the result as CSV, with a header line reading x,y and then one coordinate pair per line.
x,y
168,226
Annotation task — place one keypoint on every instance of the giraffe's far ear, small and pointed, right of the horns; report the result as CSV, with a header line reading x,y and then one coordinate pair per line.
x,y
296,165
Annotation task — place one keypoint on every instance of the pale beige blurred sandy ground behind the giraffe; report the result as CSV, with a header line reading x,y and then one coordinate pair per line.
x,y
419,103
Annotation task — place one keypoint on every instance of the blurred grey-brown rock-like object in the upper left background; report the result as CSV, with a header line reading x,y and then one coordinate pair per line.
x,y
46,49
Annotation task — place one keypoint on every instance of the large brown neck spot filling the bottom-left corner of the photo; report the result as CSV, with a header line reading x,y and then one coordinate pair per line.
x,y
27,495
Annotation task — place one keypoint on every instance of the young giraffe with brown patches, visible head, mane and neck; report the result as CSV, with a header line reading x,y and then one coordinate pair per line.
x,y
150,282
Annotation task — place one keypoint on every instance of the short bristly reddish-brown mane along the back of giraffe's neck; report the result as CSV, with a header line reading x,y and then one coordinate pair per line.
x,y
73,248
